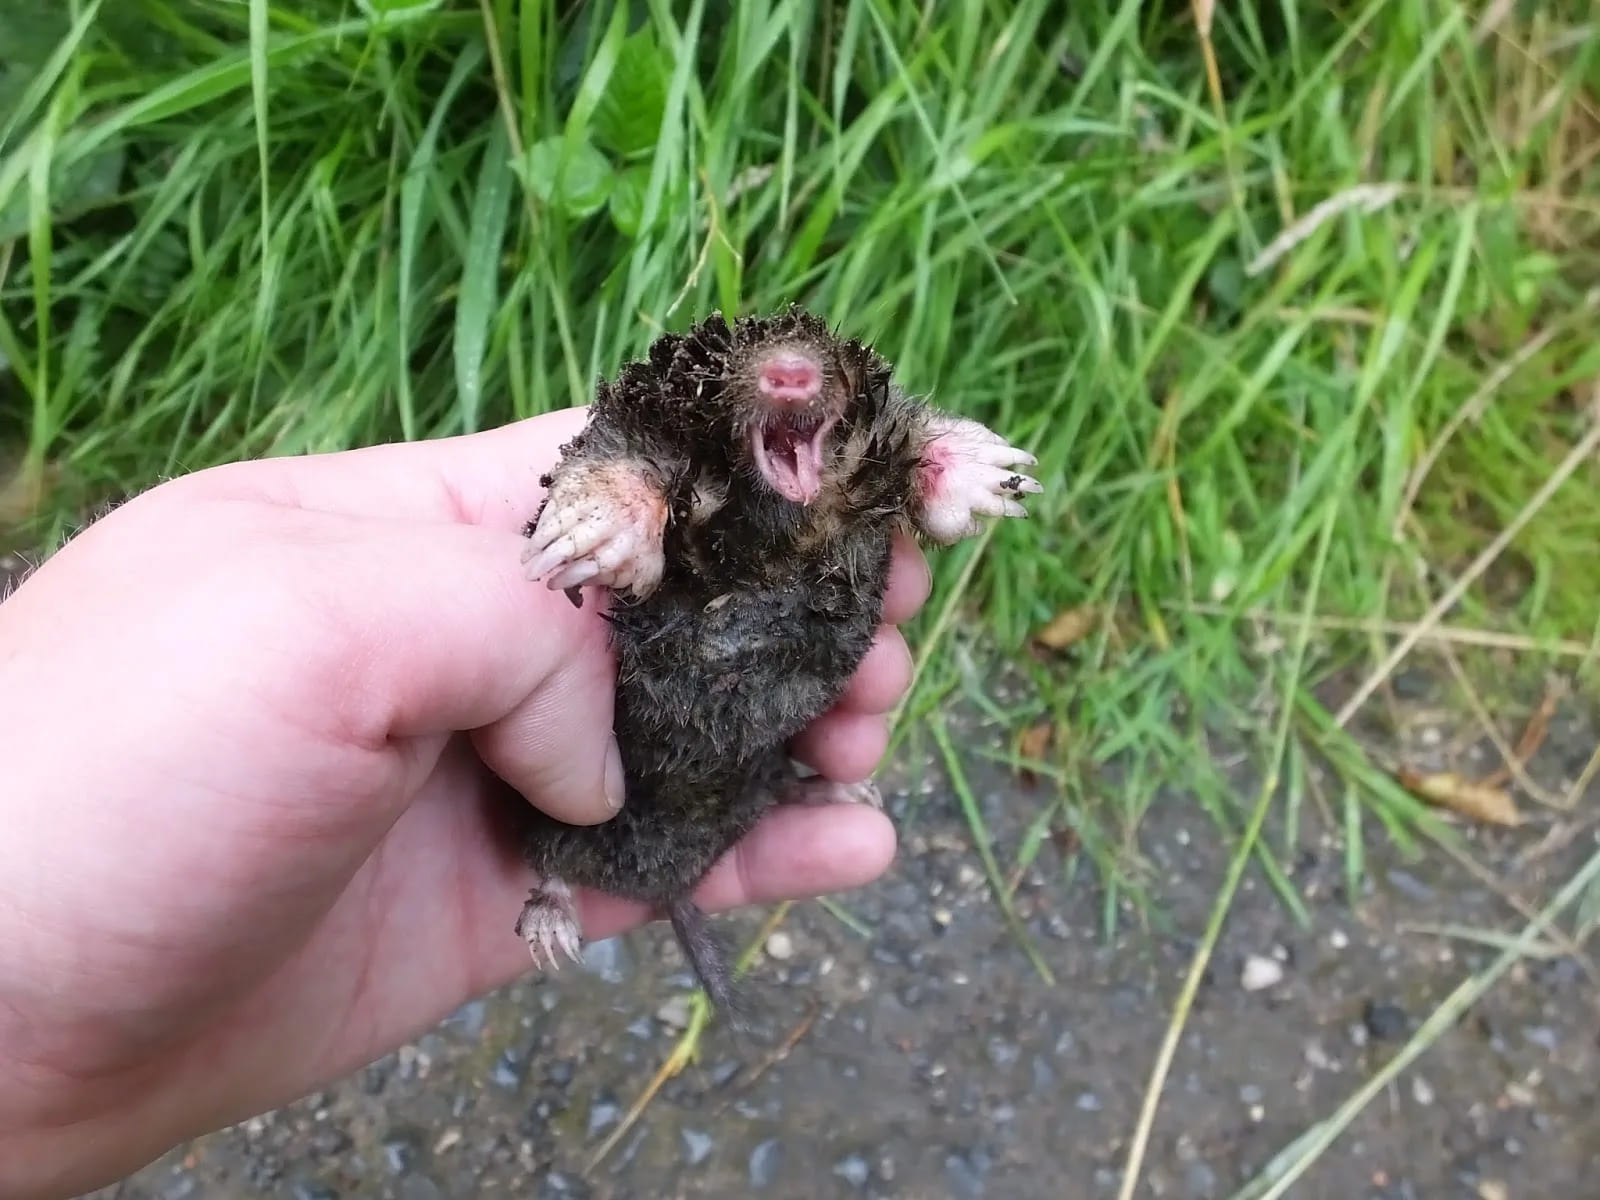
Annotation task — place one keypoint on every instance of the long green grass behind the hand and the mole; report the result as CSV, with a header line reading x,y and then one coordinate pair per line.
x,y
238,230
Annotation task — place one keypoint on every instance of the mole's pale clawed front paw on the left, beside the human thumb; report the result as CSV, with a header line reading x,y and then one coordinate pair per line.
x,y
602,526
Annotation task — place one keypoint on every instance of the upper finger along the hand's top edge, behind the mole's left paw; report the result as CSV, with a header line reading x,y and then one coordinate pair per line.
x,y
478,479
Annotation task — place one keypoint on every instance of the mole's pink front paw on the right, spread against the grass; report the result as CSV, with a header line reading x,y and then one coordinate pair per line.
x,y
969,473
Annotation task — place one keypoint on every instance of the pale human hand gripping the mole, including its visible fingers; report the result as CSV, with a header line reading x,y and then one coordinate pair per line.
x,y
247,844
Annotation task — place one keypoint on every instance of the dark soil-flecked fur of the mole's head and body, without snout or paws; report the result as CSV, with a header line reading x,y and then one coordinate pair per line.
x,y
762,615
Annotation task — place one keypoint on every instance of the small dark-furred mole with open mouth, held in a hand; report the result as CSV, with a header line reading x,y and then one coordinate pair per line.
x,y
737,492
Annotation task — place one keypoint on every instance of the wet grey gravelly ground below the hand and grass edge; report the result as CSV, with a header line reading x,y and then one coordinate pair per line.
x,y
922,1055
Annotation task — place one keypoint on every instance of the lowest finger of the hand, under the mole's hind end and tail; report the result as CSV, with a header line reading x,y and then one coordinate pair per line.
x,y
793,854
